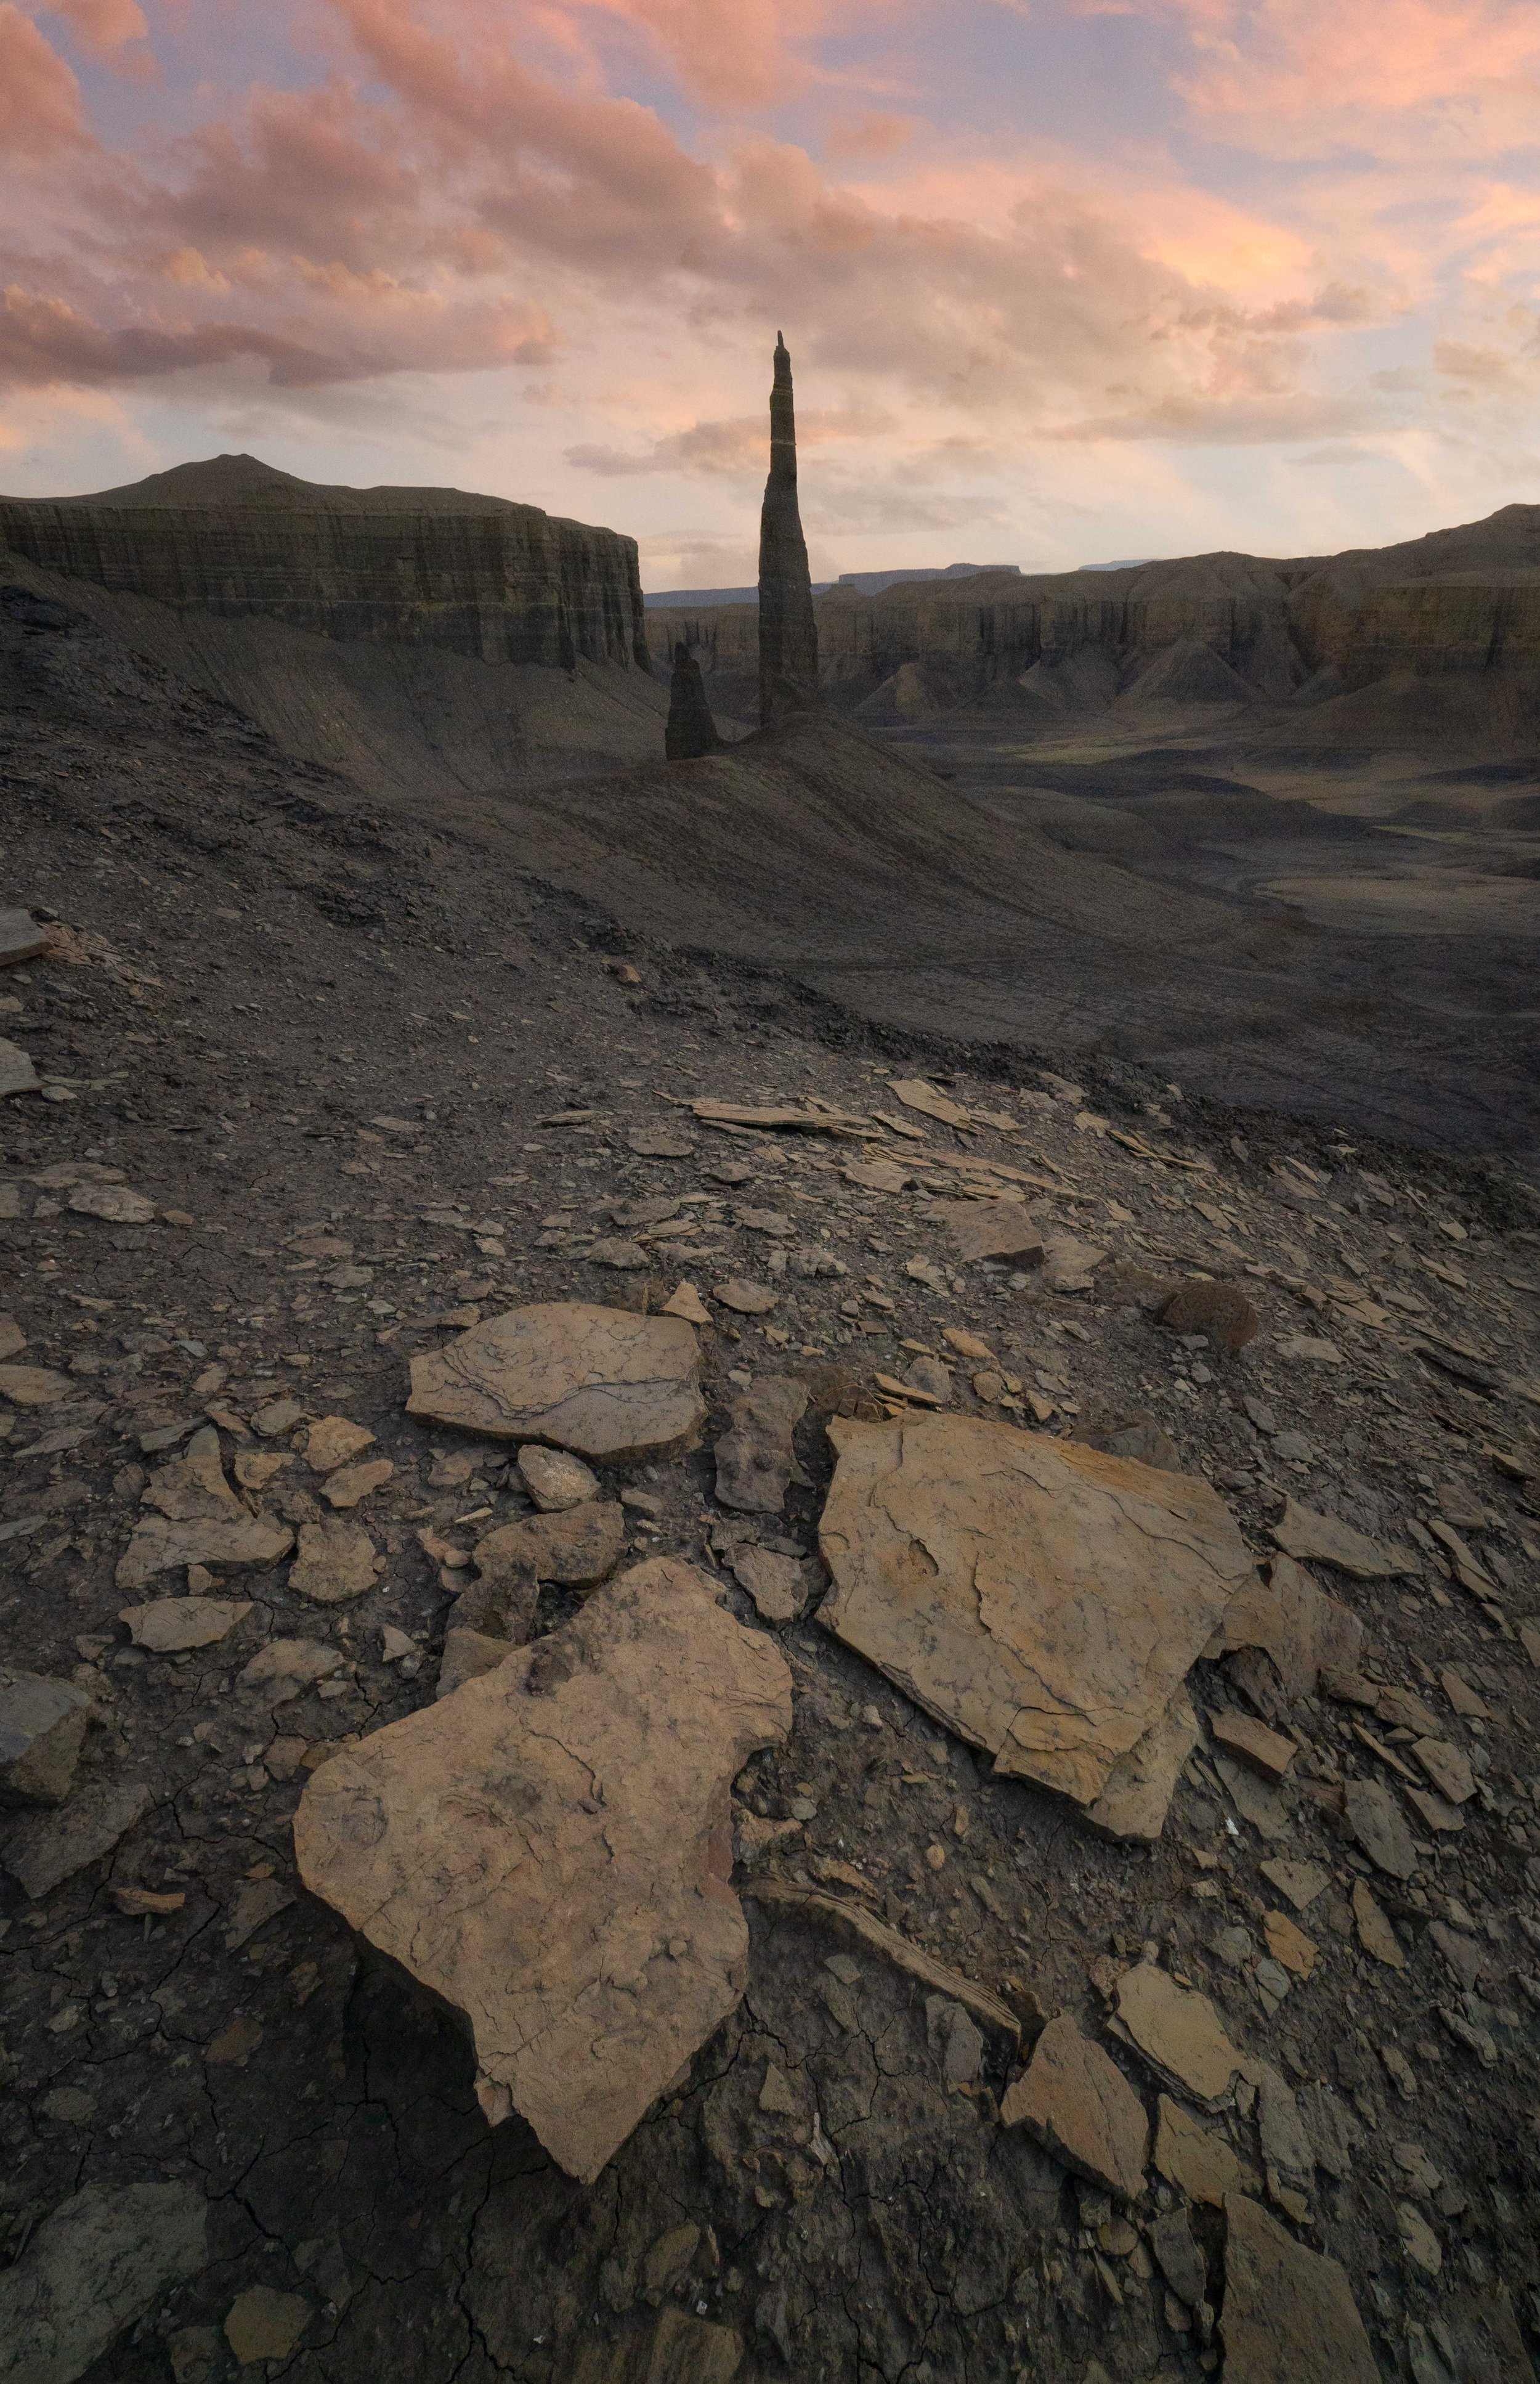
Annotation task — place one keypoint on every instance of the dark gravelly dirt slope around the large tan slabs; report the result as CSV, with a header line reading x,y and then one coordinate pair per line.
x,y
328,1048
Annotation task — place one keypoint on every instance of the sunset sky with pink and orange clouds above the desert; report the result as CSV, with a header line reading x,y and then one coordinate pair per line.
x,y
1062,280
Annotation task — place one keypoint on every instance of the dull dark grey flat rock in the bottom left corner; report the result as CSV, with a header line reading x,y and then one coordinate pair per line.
x,y
94,2266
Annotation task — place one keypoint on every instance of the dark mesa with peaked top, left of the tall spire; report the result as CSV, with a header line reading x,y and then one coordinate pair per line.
x,y
232,538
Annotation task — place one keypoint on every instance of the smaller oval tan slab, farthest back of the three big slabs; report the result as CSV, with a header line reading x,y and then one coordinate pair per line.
x,y
597,1382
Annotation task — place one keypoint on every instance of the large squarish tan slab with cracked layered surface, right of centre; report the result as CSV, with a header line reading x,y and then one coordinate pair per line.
x,y
1041,1598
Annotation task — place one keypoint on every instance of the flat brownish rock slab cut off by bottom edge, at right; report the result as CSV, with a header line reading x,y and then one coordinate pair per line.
x,y
1288,2314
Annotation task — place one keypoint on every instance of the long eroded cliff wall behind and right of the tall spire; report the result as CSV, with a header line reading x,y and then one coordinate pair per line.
x,y
1458,602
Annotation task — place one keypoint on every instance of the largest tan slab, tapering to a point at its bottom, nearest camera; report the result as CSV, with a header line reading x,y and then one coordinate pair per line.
x,y
549,1851
